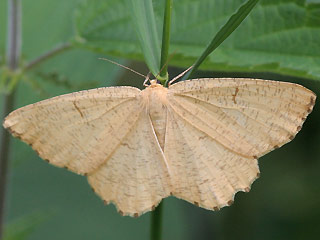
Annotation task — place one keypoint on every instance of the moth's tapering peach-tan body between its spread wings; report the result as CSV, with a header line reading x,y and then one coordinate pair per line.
x,y
155,97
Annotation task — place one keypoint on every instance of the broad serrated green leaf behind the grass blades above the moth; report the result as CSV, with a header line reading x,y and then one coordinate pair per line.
x,y
279,36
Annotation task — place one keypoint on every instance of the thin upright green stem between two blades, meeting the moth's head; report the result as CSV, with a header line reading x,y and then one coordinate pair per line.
x,y
165,43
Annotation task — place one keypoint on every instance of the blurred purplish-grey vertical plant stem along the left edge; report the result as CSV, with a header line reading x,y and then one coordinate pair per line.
x,y
13,58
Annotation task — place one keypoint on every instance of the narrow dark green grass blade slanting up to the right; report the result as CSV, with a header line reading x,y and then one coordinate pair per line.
x,y
234,21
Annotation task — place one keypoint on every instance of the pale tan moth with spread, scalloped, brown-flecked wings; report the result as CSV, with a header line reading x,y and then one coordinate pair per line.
x,y
198,140
